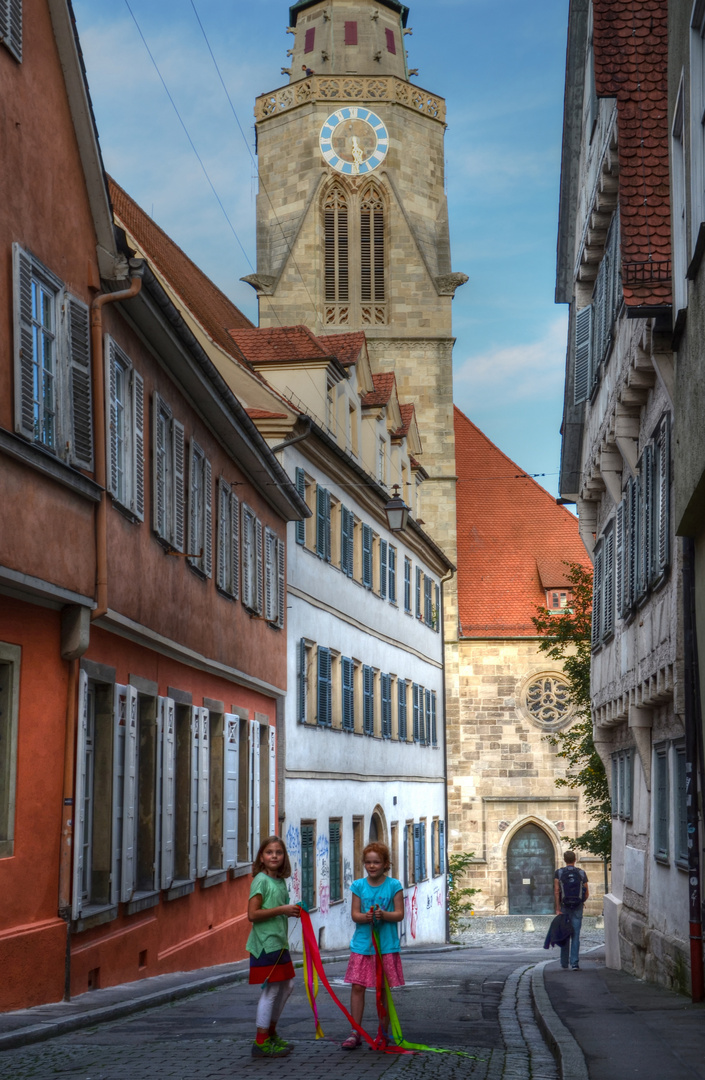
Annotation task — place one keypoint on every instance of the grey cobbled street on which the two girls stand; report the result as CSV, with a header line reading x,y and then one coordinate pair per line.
x,y
474,1000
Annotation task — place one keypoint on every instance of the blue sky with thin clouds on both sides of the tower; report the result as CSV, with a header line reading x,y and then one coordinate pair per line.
x,y
500,67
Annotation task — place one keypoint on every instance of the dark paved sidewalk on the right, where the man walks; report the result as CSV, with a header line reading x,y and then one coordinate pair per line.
x,y
623,1027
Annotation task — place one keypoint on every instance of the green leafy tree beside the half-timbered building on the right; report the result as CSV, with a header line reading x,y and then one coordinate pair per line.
x,y
567,638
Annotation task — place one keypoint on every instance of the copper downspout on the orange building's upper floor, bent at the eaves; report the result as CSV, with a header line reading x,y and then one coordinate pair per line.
x,y
138,269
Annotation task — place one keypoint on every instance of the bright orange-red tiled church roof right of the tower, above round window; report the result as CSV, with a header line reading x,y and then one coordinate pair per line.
x,y
507,525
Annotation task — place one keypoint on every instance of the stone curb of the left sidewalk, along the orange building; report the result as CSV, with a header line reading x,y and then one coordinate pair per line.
x,y
52,1028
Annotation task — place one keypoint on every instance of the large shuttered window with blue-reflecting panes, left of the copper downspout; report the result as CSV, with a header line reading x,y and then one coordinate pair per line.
x,y
52,363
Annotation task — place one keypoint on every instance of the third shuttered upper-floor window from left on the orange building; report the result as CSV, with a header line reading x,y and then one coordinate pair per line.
x,y
169,457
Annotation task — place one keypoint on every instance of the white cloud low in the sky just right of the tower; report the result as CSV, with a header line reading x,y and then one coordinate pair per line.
x,y
518,373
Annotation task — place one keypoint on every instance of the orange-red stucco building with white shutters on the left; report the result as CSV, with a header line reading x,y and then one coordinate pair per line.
x,y
143,653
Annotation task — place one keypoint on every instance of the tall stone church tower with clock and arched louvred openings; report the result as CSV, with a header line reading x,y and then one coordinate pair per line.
x,y
352,219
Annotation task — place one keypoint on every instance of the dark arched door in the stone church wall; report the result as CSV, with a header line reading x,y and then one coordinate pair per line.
x,y
531,866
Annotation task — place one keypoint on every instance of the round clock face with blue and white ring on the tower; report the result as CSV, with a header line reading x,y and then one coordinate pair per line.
x,y
354,141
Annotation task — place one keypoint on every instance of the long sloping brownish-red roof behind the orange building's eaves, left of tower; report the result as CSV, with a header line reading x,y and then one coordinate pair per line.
x,y
212,308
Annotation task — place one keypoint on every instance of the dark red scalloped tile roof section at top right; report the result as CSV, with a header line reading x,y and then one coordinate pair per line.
x,y
631,64
